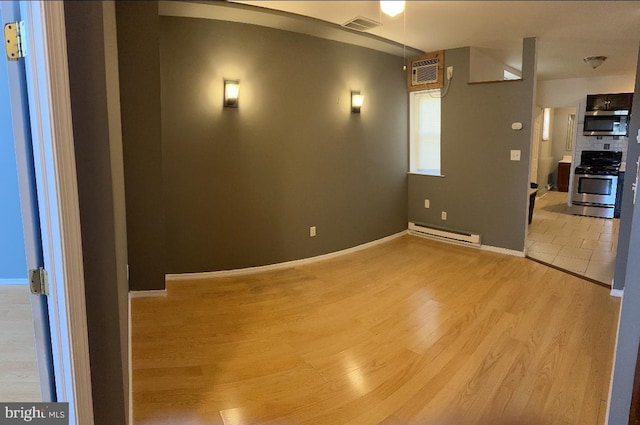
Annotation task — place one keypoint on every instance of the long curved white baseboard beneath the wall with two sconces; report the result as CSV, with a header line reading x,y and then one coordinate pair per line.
x,y
295,263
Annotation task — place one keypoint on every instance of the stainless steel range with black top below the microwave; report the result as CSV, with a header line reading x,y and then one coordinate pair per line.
x,y
595,184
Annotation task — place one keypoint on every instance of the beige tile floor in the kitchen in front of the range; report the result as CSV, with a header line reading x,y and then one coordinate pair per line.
x,y
582,245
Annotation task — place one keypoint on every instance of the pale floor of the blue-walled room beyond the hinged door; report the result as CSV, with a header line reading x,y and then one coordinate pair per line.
x,y
18,366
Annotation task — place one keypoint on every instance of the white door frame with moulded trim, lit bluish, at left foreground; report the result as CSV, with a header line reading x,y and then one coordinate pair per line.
x,y
54,162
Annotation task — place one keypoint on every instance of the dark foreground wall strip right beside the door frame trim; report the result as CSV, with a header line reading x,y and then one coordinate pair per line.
x,y
101,208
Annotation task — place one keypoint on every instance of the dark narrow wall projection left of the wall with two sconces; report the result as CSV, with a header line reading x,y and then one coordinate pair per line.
x,y
139,70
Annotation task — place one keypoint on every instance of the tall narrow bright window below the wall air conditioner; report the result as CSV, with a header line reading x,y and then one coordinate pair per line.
x,y
424,128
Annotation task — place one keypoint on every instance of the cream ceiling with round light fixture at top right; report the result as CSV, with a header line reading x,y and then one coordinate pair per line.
x,y
567,31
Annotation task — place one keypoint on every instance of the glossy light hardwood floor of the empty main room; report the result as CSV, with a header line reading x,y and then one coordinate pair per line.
x,y
412,331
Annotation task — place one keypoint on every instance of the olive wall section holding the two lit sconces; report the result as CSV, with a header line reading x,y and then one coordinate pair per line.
x,y
243,186
